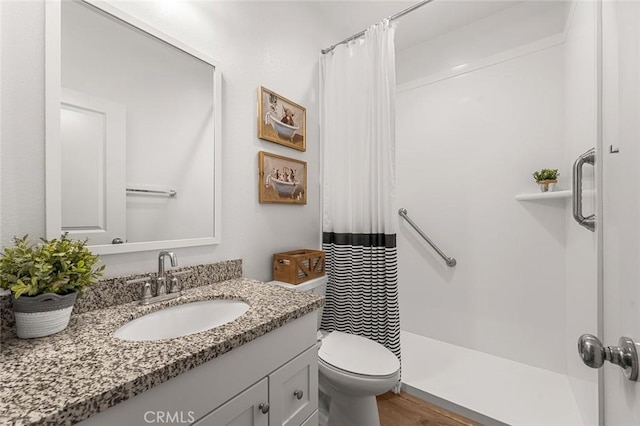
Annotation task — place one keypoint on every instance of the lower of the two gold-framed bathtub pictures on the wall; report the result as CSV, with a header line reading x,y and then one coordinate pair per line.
x,y
281,179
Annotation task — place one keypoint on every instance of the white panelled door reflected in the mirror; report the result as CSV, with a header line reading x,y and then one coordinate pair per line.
x,y
93,143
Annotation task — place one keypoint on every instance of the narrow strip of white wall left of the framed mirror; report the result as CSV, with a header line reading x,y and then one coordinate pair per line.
x,y
22,116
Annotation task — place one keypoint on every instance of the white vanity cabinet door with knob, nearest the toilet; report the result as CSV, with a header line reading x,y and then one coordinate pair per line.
x,y
293,390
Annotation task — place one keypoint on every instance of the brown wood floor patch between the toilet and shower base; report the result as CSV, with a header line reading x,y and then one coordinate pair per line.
x,y
407,410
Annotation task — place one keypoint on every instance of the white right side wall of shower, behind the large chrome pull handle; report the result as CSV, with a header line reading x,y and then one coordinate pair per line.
x,y
580,76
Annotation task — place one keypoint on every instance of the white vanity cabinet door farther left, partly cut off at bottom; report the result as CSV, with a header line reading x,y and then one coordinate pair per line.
x,y
243,410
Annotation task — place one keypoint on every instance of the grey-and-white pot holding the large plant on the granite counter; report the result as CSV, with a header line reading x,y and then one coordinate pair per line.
x,y
42,315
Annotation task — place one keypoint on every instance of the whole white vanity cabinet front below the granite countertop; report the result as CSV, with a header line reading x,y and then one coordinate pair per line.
x,y
279,368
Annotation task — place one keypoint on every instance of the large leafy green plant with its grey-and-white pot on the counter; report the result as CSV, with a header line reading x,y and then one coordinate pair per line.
x,y
45,279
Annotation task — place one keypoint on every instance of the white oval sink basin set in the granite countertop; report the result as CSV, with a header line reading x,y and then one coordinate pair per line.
x,y
182,320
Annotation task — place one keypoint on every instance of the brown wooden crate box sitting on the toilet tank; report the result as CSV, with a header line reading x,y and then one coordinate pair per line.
x,y
298,266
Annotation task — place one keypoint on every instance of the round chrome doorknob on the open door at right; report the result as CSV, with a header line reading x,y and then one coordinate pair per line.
x,y
594,354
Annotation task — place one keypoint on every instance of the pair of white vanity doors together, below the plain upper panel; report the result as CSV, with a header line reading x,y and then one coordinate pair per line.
x,y
287,397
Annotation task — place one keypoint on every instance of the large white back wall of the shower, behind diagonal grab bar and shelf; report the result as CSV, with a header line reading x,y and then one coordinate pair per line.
x,y
468,140
